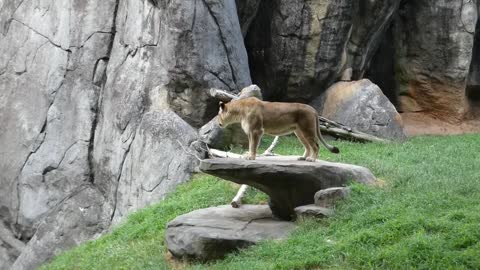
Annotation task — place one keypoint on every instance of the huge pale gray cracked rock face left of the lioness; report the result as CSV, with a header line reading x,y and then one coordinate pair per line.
x,y
91,94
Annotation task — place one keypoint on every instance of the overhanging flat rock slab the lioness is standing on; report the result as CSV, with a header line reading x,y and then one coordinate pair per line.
x,y
288,182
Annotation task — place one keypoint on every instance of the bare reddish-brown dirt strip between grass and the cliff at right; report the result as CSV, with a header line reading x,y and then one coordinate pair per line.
x,y
422,124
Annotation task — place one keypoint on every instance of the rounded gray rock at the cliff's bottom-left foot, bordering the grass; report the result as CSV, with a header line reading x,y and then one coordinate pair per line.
x,y
80,217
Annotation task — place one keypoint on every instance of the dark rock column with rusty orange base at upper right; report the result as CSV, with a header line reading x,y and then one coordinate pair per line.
x,y
433,65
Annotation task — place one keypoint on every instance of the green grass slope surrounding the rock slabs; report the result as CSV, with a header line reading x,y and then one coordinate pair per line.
x,y
426,216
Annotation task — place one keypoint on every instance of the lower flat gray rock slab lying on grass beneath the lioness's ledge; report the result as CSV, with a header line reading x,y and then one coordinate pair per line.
x,y
211,233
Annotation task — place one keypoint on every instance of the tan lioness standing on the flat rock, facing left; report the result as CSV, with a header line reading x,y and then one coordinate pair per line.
x,y
274,118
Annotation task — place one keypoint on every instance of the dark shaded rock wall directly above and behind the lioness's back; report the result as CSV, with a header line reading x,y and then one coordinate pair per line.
x,y
298,48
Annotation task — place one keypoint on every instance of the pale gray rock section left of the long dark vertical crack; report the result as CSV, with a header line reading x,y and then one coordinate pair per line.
x,y
47,105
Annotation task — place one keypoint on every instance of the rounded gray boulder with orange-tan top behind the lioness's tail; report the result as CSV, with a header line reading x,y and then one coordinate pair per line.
x,y
362,106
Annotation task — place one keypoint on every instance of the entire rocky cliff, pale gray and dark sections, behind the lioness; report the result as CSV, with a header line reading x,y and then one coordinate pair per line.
x,y
100,101
